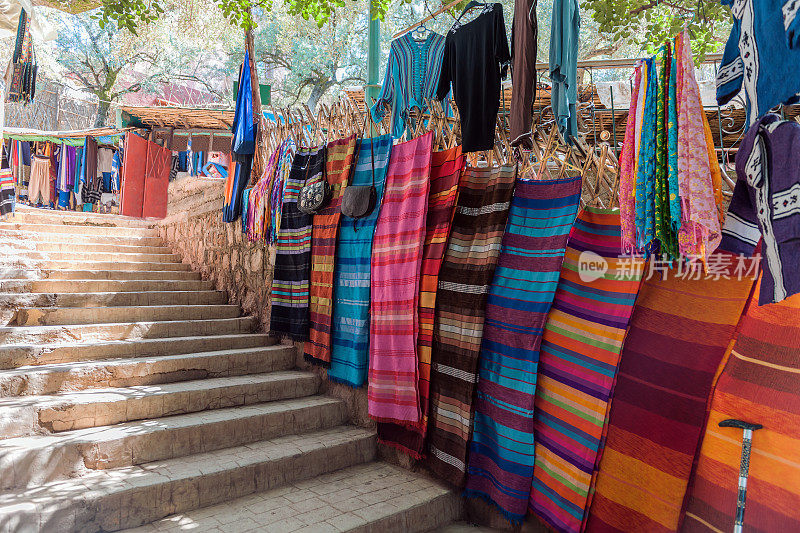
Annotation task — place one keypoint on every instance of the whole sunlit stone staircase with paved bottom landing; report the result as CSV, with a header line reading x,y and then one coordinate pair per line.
x,y
132,395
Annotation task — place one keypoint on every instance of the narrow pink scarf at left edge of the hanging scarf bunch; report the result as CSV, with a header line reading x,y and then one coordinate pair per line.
x,y
627,173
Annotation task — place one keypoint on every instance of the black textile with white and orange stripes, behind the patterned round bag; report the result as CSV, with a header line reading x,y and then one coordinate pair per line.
x,y
292,270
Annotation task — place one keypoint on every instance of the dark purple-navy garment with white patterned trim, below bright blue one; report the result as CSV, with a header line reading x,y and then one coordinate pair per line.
x,y
766,204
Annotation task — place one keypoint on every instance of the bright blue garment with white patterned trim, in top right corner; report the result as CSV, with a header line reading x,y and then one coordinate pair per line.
x,y
761,55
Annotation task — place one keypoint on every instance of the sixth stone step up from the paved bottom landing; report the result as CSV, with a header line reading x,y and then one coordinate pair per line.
x,y
125,330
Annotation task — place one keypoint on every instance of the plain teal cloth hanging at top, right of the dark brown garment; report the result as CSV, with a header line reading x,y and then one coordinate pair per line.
x,y
564,32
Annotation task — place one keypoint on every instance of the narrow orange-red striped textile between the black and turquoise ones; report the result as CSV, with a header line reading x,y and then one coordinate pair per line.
x,y
338,162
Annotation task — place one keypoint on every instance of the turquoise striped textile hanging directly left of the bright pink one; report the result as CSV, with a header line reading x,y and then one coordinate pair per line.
x,y
350,322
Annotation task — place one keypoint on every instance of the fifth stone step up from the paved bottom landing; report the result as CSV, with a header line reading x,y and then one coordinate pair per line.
x,y
16,355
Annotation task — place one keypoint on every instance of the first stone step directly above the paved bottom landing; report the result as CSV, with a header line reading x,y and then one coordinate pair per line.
x,y
109,500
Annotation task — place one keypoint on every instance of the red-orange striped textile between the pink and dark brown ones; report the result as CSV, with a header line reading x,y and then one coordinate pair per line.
x,y
446,168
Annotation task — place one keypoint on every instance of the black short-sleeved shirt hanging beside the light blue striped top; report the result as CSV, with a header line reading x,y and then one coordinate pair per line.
x,y
475,59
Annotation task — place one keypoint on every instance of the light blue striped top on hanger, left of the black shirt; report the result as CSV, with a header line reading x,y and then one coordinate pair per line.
x,y
412,76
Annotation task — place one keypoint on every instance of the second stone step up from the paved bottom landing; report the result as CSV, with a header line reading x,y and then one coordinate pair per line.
x,y
31,461
